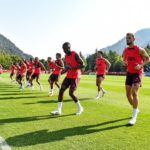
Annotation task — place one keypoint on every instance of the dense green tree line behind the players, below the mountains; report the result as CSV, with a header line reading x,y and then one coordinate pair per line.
x,y
114,58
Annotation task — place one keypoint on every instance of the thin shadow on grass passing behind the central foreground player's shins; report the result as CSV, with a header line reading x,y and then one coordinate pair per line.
x,y
55,101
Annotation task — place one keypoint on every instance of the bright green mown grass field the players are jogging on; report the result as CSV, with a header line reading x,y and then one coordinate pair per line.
x,y
25,122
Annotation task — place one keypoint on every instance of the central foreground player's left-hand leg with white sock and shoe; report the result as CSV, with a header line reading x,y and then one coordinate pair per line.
x,y
66,83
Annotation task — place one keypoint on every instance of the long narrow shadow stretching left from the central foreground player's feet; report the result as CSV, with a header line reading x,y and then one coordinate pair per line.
x,y
32,118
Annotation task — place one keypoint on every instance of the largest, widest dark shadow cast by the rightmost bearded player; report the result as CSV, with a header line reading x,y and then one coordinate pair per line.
x,y
44,136
